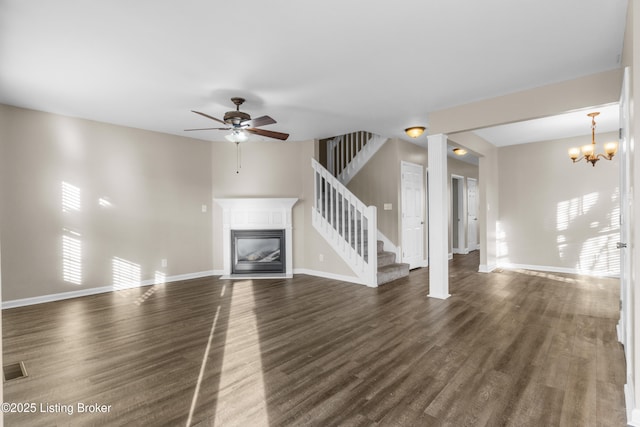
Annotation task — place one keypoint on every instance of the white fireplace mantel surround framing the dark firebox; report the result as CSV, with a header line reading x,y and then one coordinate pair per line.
x,y
256,214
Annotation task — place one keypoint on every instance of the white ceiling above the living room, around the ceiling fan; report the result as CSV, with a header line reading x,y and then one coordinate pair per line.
x,y
320,68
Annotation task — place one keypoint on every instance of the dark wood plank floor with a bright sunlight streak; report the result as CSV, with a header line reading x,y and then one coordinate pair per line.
x,y
508,348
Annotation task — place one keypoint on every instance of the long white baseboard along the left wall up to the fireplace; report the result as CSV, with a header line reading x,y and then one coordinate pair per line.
x,y
93,291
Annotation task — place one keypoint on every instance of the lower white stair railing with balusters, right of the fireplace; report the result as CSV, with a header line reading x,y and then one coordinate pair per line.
x,y
348,225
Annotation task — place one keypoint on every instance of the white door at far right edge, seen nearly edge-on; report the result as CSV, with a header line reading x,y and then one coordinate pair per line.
x,y
625,325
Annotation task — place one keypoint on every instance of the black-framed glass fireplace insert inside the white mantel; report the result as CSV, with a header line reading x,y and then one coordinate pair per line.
x,y
258,251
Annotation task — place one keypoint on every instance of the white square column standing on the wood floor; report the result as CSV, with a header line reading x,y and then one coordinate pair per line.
x,y
438,217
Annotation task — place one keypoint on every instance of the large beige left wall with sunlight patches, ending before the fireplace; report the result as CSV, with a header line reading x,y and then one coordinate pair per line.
x,y
156,185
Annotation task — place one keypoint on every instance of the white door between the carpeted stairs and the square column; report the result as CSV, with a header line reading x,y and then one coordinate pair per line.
x,y
412,214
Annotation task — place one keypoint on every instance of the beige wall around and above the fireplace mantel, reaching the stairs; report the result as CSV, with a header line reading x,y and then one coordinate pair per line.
x,y
274,169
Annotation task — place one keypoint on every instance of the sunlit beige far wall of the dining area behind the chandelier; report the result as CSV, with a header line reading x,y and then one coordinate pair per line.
x,y
557,214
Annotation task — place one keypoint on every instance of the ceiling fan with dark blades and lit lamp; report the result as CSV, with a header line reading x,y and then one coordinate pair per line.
x,y
241,123
